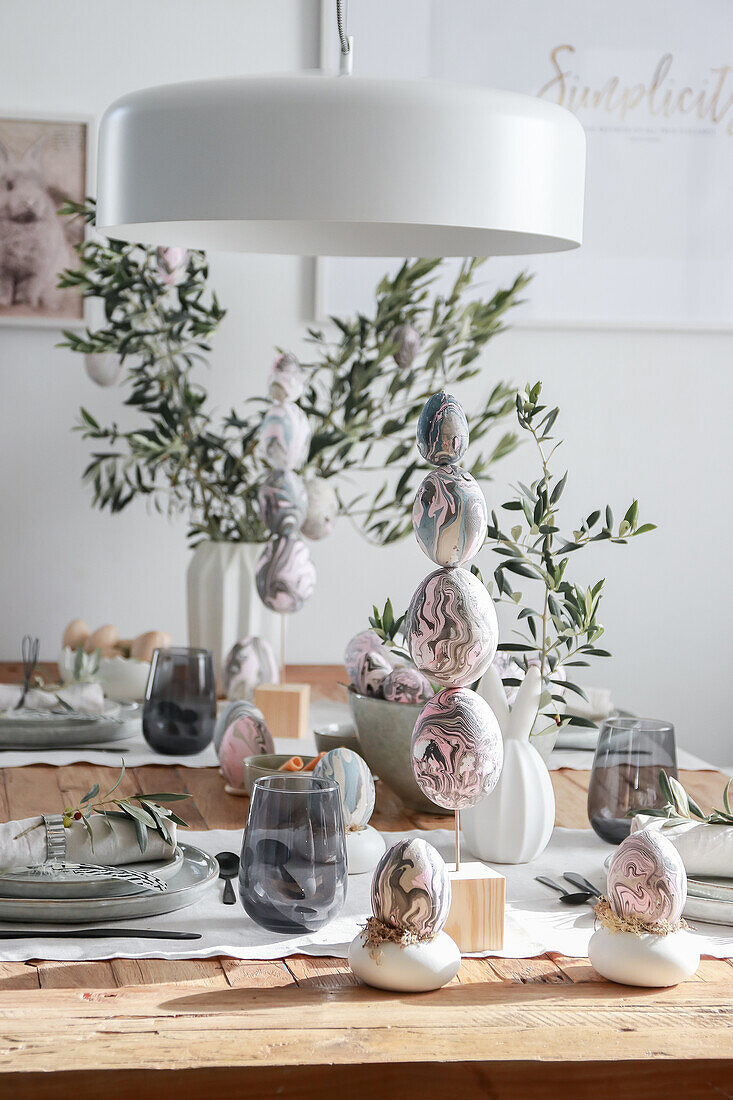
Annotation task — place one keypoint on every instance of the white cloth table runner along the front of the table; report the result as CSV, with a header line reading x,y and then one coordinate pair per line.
x,y
537,922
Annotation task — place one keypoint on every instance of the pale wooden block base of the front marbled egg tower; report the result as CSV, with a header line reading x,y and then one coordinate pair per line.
x,y
477,911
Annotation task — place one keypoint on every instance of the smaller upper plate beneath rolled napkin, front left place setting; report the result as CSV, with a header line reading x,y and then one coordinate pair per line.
x,y
63,885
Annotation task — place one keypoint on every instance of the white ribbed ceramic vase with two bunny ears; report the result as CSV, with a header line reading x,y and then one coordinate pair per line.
x,y
515,823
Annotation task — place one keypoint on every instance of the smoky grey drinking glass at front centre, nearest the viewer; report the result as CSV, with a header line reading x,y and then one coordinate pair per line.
x,y
293,871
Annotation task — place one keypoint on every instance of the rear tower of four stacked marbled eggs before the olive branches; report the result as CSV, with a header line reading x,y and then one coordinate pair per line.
x,y
286,574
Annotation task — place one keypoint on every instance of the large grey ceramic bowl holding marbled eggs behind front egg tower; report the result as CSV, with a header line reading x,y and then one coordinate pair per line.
x,y
386,732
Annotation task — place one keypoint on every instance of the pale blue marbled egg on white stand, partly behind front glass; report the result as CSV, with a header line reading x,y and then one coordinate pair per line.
x,y
346,768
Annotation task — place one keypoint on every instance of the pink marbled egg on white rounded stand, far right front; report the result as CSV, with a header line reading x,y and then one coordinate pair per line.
x,y
647,884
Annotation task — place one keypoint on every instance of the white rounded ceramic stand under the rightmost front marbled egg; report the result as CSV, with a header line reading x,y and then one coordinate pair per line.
x,y
647,960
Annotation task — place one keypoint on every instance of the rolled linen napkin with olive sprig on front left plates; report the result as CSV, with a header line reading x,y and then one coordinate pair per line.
x,y
113,848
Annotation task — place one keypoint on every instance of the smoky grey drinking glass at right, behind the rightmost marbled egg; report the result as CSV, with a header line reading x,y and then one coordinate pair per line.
x,y
630,755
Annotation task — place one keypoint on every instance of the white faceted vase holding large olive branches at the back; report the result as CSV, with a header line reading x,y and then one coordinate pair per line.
x,y
224,606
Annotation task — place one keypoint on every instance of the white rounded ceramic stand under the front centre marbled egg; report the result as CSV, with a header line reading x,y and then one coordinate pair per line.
x,y
415,969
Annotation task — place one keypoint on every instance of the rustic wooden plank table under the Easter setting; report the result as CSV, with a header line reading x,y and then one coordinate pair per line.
x,y
222,1028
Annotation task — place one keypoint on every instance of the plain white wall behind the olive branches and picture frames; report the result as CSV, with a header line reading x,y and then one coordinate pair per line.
x,y
643,414
